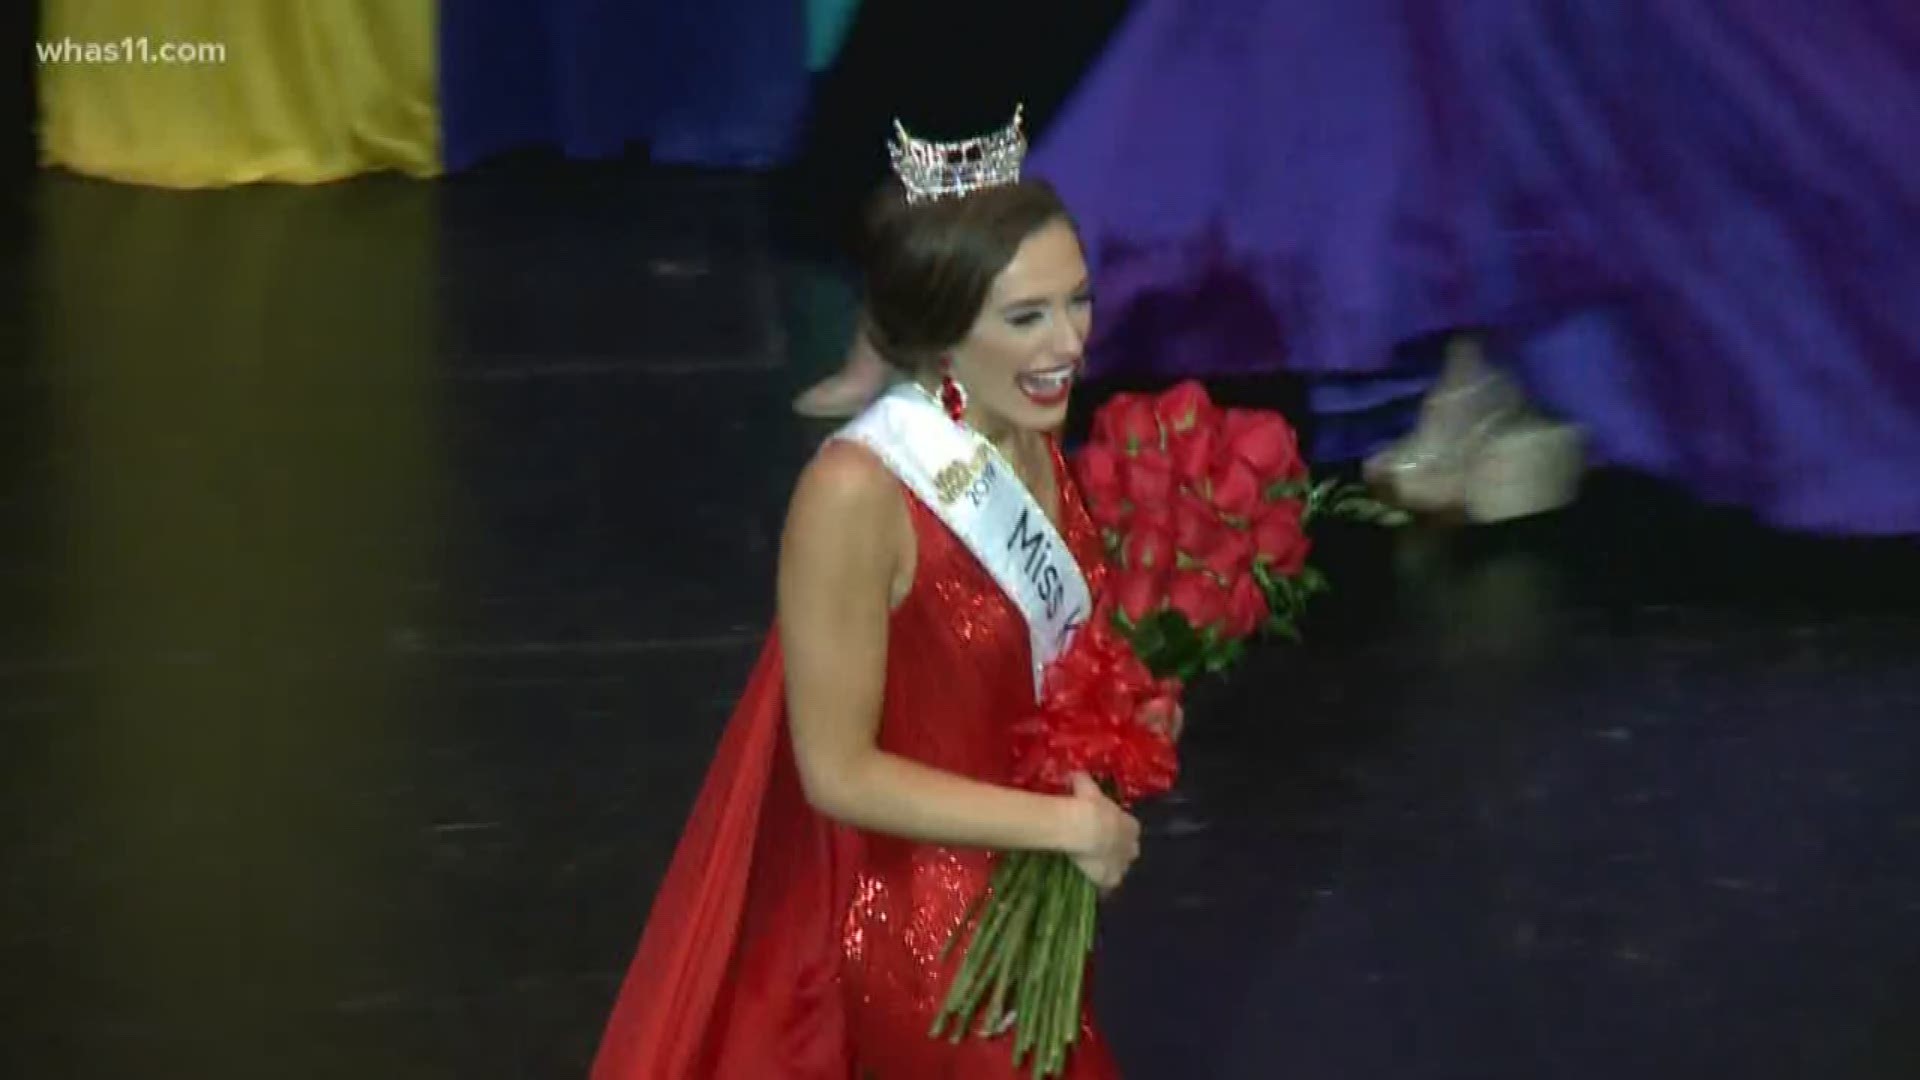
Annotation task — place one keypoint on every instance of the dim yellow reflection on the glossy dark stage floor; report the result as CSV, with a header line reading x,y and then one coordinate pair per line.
x,y
249,491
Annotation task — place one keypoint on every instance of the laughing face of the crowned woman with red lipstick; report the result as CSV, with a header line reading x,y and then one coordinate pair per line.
x,y
1026,347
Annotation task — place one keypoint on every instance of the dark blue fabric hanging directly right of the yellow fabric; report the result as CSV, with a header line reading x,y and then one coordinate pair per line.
x,y
715,84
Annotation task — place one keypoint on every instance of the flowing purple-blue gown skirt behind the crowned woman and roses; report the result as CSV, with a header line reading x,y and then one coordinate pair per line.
x,y
1692,226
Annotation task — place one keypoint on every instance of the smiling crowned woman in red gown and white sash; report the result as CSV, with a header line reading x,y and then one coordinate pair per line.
x,y
863,781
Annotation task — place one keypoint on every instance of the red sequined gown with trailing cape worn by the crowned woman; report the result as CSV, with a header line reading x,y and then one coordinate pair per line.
x,y
784,946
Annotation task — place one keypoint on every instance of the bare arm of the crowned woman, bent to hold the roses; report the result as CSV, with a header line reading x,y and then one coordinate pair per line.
x,y
848,543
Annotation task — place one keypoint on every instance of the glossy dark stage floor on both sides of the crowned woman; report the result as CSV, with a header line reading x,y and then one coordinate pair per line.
x,y
379,564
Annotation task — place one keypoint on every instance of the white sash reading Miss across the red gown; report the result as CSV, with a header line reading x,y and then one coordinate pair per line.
x,y
980,499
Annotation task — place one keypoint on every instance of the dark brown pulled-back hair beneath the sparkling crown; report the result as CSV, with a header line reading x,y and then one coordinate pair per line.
x,y
930,266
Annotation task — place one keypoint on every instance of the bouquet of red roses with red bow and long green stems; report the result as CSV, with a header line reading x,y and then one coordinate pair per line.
x,y
1205,514
